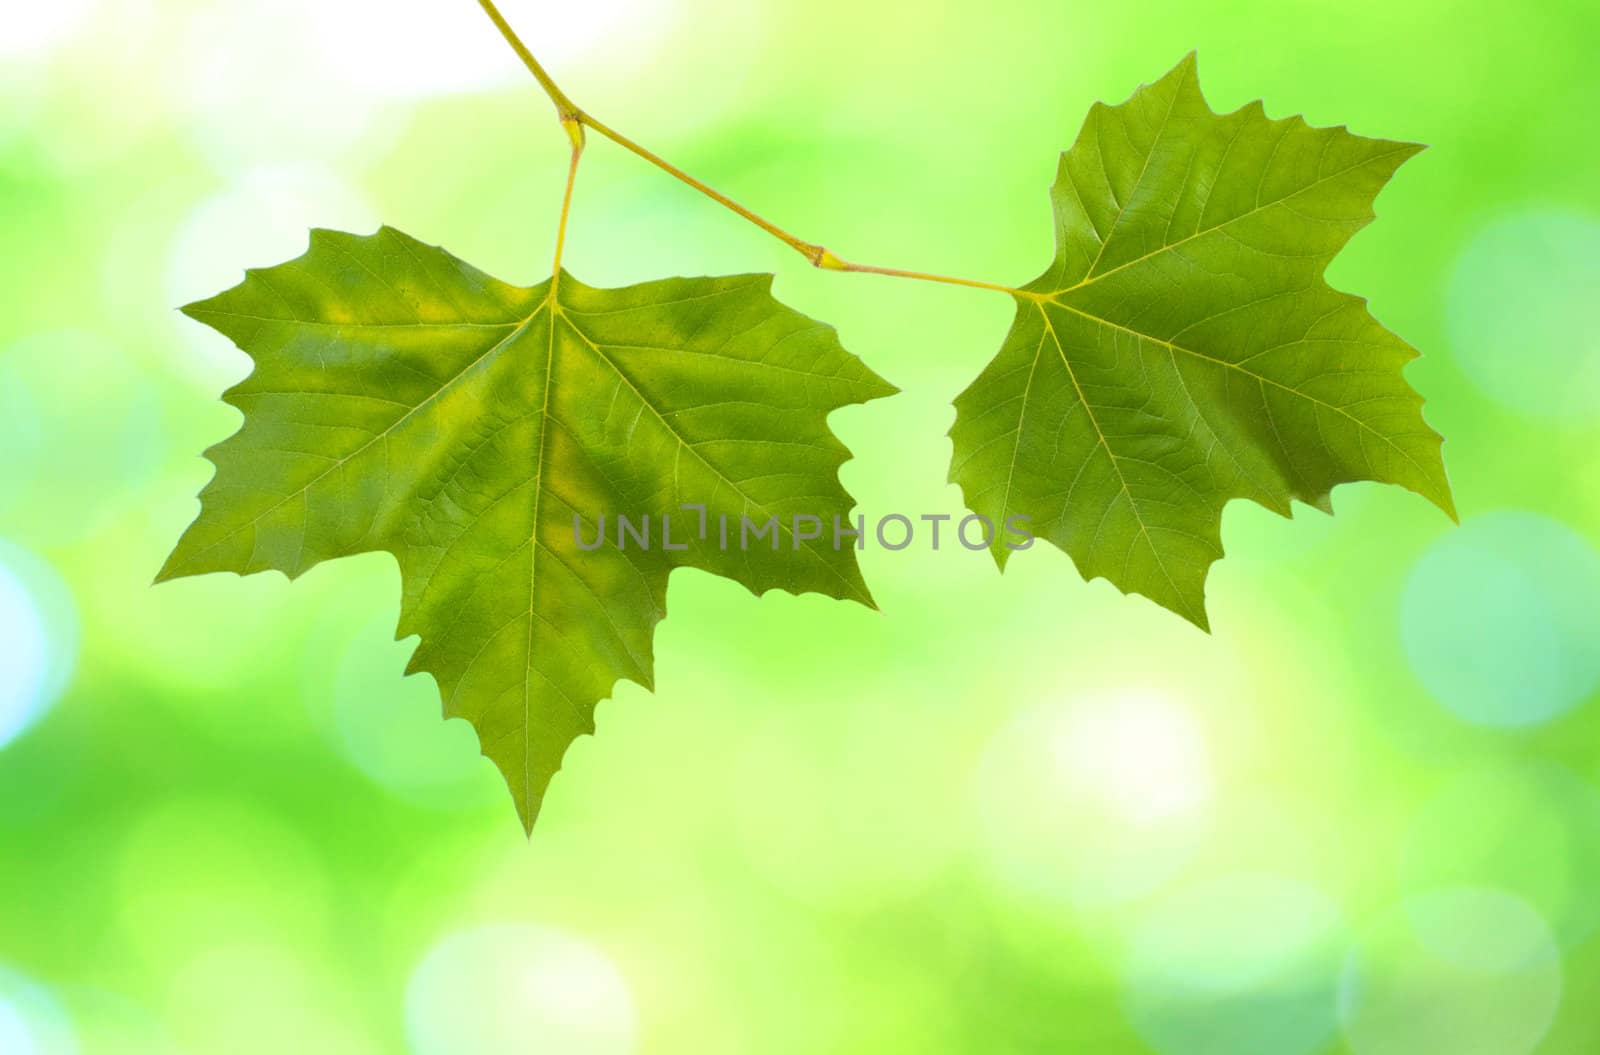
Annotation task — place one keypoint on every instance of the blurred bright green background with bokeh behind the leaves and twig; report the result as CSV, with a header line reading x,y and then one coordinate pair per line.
x,y
1010,814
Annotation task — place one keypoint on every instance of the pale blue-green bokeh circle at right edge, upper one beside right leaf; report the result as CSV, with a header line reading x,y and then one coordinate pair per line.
x,y
1522,313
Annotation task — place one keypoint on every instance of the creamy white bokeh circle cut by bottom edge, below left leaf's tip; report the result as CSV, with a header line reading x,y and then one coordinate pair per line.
x,y
518,989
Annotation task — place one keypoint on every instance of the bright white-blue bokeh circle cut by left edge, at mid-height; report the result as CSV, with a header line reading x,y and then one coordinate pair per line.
x,y
39,628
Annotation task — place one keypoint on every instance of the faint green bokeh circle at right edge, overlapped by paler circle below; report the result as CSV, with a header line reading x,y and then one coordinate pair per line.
x,y
1532,830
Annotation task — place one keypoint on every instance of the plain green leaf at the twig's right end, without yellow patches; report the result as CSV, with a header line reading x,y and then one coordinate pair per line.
x,y
1183,350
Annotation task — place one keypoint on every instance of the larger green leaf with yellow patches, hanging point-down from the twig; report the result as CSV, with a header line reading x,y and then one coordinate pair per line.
x,y
406,403
